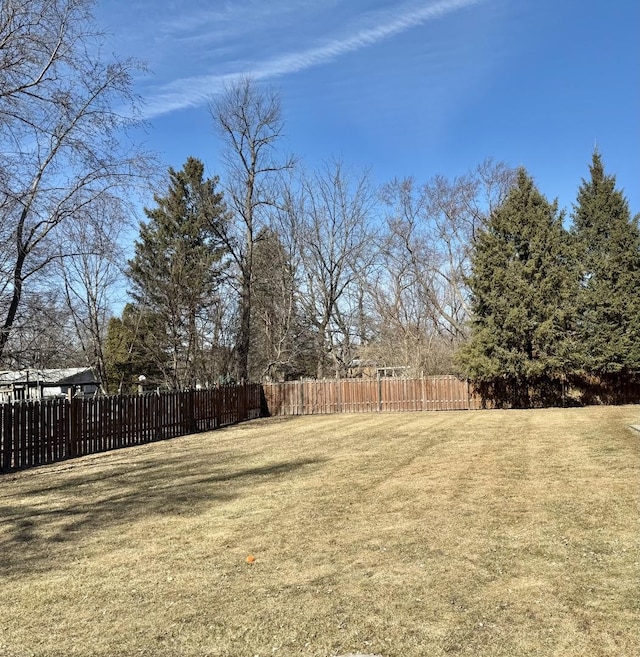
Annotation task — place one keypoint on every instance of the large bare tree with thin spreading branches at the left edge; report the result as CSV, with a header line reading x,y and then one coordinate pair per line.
x,y
63,115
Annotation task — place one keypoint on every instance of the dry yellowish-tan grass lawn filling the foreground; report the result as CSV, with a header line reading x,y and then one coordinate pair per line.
x,y
407,535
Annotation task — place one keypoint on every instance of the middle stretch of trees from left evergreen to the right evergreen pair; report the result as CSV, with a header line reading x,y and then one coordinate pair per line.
x,y
272,272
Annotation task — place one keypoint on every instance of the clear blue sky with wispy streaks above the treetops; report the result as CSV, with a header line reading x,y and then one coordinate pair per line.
x,y
403,87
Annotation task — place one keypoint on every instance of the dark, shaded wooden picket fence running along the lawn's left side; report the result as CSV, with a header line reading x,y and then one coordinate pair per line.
x,y
45,431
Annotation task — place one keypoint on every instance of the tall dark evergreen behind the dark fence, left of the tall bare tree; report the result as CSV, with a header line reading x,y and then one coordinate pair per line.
x,y
176,271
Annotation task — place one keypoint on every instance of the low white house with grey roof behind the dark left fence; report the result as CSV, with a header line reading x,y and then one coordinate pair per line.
x,y
42,384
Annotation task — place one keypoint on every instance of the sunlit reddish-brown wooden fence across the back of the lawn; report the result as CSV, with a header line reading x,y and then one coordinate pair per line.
x,y
436,393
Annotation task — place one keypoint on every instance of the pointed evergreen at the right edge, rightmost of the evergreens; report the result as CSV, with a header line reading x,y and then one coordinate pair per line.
x,y
607,242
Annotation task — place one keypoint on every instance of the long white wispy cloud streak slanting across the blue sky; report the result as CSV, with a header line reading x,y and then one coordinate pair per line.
x,y
194,91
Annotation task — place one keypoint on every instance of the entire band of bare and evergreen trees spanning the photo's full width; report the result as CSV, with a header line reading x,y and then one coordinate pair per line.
x,y
271,271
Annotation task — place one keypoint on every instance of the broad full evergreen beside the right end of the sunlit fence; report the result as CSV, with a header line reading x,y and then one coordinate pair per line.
x,y
521,286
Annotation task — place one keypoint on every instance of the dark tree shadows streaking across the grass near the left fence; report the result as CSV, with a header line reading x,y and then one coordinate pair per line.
x,y
52,514
